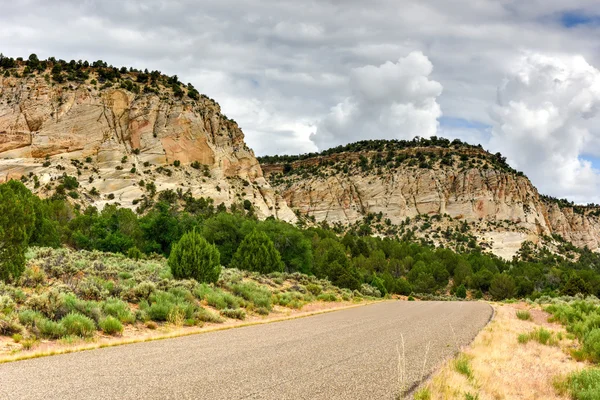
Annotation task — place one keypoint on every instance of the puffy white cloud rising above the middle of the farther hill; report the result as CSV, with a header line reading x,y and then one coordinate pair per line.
x,y
390,101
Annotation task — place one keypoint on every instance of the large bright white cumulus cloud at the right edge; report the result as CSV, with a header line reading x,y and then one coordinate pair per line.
x,y
545,119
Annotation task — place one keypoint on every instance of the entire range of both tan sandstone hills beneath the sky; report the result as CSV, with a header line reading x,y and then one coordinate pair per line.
x,y
94,134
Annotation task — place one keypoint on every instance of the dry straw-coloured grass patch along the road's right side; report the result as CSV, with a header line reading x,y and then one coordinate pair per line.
x,y
502,368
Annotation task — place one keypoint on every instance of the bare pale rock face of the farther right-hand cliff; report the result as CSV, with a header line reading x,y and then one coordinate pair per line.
x,y
504,208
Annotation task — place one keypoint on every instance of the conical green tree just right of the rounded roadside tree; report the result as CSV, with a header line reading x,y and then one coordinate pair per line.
x,y
257,253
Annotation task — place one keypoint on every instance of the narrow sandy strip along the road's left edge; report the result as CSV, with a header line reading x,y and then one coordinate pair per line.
x,y
173,335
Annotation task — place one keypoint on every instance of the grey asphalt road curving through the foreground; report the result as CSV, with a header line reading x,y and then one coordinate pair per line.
x,y
347,354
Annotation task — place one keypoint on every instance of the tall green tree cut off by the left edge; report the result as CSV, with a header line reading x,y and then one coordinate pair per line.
x,y
17,219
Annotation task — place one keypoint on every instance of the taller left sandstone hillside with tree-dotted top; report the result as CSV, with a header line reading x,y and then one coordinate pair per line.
x,y
124,135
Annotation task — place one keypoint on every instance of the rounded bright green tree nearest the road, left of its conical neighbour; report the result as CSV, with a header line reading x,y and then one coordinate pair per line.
x,y
193,257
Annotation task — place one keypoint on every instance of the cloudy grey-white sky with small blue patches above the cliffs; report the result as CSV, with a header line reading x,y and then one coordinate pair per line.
x,y
518,77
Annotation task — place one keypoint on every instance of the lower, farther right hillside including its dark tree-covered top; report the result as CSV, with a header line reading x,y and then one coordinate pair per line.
x,y
443,192
